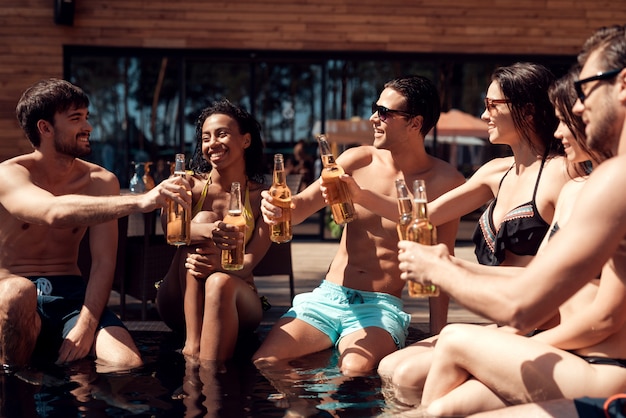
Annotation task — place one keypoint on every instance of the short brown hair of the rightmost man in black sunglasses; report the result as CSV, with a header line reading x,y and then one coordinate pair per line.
x,y
612,41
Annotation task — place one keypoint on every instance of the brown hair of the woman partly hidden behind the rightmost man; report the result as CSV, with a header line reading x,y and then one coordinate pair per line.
x,y
563,96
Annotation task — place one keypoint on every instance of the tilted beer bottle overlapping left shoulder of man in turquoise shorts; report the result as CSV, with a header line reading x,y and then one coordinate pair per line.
x,y
338,194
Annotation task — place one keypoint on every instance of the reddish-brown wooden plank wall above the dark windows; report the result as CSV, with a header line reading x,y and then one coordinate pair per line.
x,y
31,45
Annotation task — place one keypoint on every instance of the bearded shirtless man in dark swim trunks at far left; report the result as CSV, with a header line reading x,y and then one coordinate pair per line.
x,y
48,199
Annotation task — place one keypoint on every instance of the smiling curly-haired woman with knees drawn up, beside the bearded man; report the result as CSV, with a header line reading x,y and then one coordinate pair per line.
x,y
197,297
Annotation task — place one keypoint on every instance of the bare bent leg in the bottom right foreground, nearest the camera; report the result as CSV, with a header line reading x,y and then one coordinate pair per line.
x,y
514,368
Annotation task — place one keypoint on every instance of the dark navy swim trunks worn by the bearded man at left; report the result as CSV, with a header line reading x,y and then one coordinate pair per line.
x,y
59,301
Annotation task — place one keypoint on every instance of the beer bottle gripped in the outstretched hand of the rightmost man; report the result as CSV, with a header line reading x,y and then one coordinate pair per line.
x,y
422,231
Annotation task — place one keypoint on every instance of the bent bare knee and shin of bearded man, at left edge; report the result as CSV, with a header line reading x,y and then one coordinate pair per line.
x,y
19,321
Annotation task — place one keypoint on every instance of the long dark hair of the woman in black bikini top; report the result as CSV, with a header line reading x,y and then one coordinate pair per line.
x,y
526,86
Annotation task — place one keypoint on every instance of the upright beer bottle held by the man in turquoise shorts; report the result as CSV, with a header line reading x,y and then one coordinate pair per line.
x,y
281,231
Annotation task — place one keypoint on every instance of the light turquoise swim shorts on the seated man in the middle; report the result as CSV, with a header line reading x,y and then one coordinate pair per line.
x,y
338,311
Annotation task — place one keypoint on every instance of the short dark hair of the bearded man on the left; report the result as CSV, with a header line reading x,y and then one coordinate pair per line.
x,y
43,100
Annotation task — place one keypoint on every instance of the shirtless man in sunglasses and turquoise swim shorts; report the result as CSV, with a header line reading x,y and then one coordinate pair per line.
x,y
358,307
